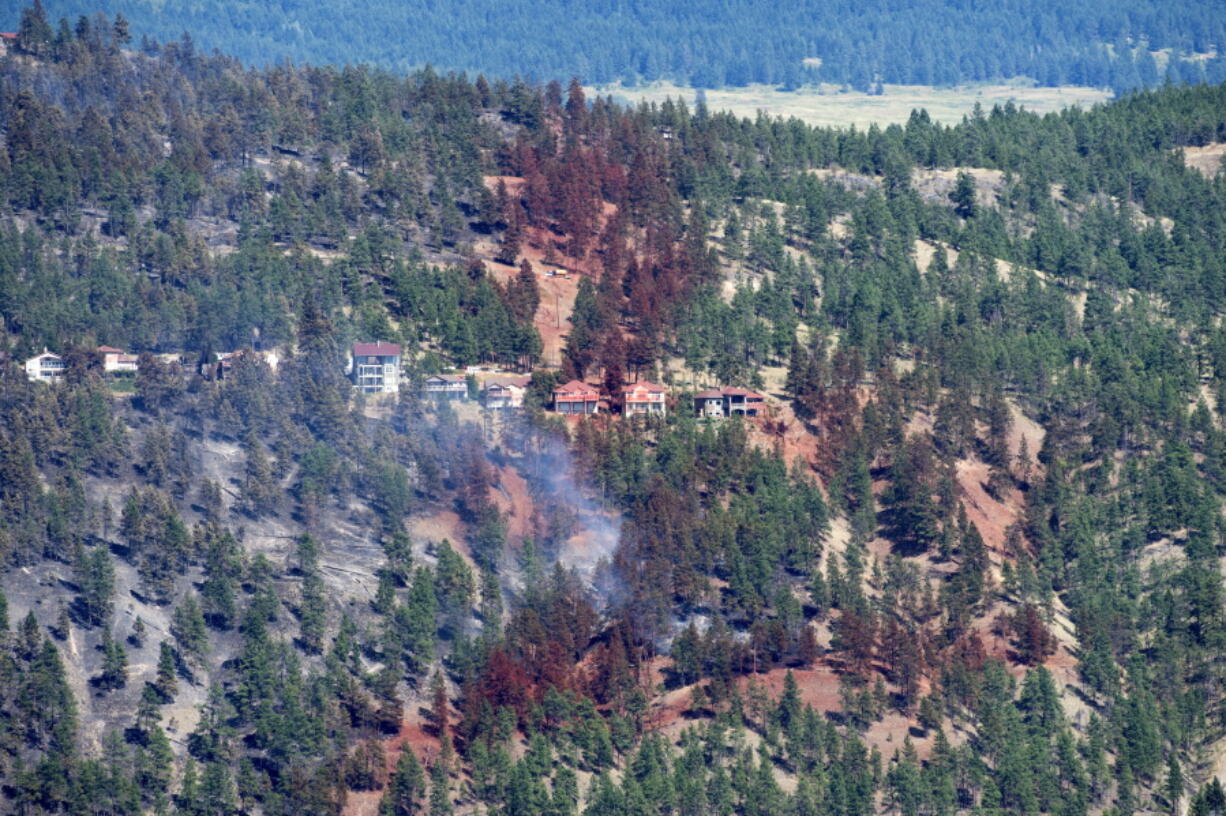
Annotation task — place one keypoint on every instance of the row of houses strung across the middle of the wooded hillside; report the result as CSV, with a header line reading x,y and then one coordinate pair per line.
x,y
377,369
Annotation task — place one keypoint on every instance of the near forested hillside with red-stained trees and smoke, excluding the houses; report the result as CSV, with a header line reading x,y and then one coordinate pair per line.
x,y
967,561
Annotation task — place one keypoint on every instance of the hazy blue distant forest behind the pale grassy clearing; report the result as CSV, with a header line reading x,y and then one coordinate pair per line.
x,y
710,43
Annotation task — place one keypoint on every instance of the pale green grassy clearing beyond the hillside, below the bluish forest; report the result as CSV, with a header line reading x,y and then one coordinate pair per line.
x,y
827,106
